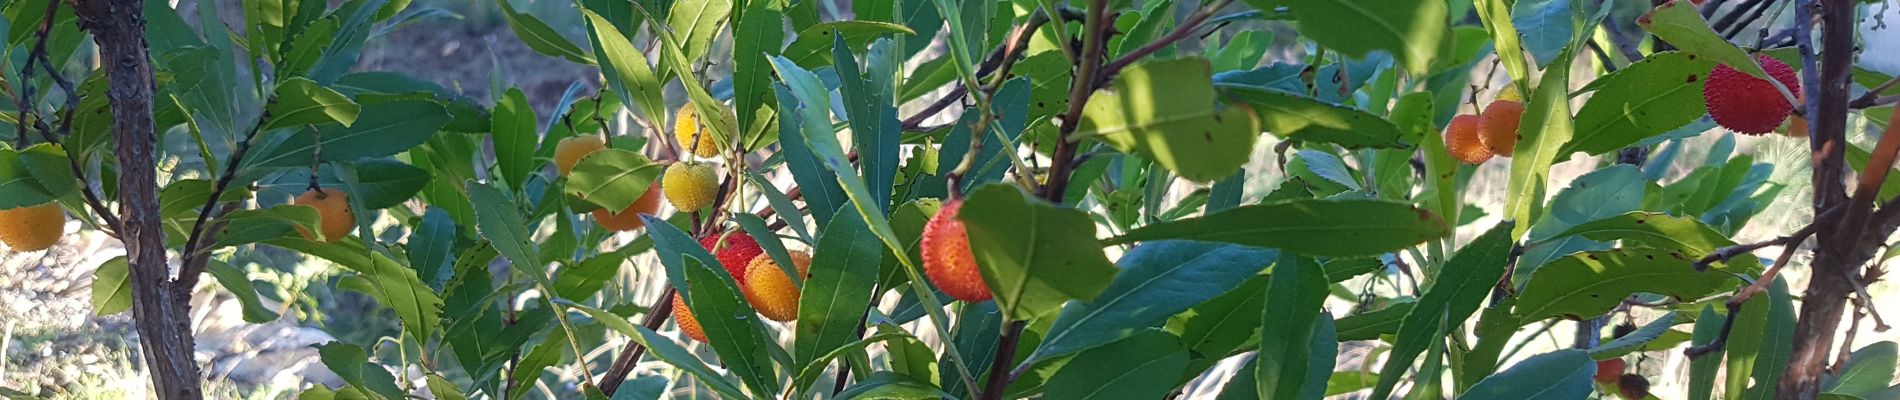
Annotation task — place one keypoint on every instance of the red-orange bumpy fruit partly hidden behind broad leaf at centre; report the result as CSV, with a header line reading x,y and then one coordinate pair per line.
x,y
947,257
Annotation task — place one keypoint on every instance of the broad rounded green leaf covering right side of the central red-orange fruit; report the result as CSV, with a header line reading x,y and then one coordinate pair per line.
x,y
1033,272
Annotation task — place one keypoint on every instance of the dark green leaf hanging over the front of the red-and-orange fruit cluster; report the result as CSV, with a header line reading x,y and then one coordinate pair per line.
x,y
731,325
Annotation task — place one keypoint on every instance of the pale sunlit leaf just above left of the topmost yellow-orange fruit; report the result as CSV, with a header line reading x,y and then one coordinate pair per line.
x,y
628,71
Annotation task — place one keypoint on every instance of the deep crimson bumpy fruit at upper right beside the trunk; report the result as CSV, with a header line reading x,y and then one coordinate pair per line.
x,y
1745,103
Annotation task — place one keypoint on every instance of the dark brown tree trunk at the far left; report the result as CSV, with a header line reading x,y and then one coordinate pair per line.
x,y
161,308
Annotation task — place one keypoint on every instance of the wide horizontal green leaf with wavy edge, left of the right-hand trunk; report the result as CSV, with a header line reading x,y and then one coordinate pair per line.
x,y
1591,283
